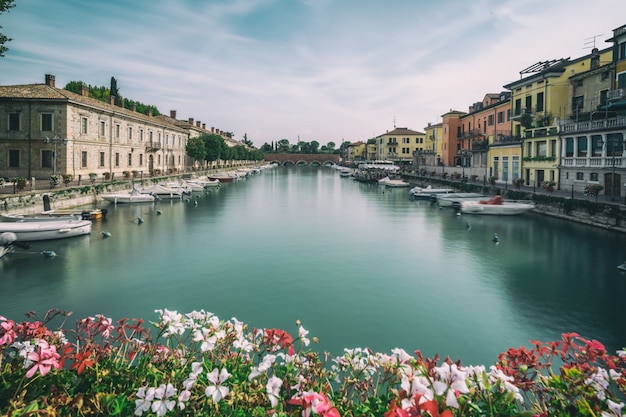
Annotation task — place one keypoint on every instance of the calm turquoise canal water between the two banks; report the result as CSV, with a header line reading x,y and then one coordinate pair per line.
x,y
358,266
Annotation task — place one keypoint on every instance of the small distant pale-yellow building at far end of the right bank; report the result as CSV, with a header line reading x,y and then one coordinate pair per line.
x,y
399,145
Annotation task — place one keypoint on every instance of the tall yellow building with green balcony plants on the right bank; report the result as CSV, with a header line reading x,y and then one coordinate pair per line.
x,y
539,101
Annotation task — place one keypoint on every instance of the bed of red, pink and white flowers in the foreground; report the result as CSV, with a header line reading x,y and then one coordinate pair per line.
x,y
196,364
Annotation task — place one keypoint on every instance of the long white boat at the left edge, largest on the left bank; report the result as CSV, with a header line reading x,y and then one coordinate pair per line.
x,y
46,230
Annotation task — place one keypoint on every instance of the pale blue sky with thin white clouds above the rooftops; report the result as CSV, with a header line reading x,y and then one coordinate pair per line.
x,y
301,70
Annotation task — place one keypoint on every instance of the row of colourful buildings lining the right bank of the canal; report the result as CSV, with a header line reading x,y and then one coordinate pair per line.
x,y
563,121
